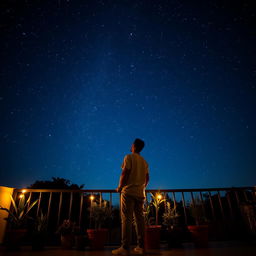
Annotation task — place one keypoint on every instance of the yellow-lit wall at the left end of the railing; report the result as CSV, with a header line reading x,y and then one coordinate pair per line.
x,y
5,201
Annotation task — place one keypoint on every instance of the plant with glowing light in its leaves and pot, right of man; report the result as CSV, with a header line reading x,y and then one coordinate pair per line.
x,y
152,232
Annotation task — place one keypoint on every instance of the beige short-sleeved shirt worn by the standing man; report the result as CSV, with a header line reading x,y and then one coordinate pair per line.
x,y
137,178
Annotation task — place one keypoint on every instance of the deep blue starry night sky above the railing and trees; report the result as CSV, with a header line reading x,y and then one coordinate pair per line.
x,y
80,80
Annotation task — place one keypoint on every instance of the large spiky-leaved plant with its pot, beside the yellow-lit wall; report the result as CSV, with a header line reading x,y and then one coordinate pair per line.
x,y
17,221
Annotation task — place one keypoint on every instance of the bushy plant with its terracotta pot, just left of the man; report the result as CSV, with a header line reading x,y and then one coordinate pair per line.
x,y
99,215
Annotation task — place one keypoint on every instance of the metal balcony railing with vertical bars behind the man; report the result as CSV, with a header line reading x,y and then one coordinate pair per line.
x,y
222,205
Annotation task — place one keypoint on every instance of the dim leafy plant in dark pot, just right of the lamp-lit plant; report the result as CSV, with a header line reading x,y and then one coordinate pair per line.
x,y
171,221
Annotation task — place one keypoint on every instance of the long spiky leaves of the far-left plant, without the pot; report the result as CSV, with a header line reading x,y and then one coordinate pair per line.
x,y
18,217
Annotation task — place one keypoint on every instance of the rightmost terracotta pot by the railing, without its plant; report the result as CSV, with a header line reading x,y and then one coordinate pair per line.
x,y
199,235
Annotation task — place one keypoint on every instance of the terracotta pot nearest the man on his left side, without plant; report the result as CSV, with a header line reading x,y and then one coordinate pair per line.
x,y
97,238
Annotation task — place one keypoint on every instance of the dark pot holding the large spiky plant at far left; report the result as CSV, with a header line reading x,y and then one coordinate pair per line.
x,y
14,238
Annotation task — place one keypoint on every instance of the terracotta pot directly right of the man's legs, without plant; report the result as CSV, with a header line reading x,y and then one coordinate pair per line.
x,y
152,237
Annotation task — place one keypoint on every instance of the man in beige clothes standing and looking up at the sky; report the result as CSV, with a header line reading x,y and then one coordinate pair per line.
x,y
132,184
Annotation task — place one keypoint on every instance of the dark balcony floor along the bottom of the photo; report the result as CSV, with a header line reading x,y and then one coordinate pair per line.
x,y
214,249
